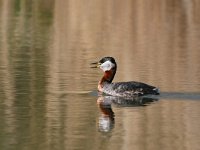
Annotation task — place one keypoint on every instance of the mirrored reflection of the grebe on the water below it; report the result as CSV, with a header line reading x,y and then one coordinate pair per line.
x,y
107,118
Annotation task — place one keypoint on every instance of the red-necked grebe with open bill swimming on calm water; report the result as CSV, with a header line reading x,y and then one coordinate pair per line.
x,y
122,89
